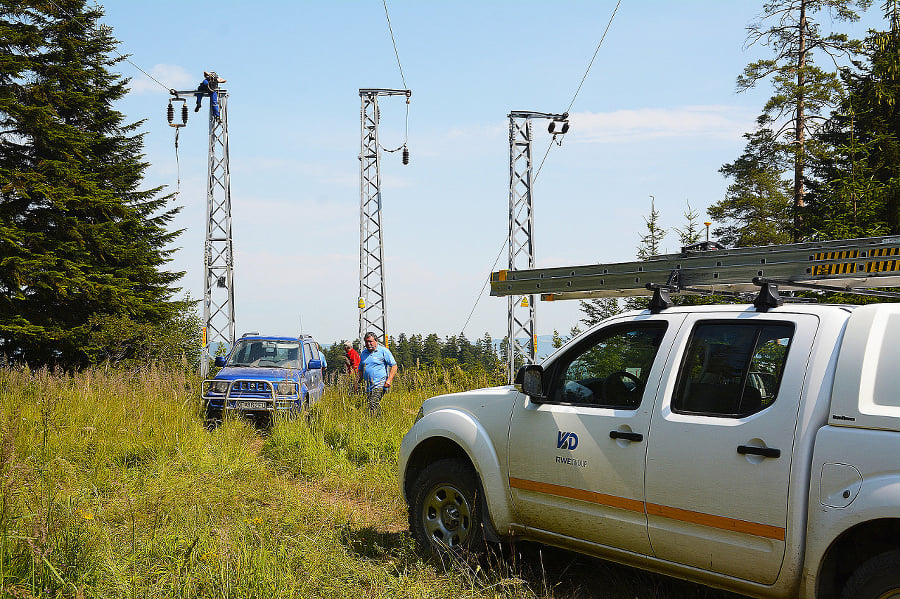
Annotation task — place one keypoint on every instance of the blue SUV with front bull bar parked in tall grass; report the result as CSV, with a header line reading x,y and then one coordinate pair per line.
x,y
264,375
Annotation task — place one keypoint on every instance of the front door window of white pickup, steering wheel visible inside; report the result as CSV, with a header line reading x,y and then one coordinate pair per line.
x,y
609,369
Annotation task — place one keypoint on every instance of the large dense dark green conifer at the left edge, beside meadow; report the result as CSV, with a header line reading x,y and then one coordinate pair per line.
x,y
81,246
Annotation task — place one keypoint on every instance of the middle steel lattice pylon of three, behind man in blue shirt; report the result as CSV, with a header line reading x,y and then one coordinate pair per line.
x,y
372,308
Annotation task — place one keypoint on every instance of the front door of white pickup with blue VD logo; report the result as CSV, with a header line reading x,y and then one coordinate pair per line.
x,y
576,458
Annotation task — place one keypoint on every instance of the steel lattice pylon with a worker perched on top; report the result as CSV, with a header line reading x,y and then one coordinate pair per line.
x,y
218,257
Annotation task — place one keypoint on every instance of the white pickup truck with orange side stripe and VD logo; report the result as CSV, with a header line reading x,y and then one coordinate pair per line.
x,y
753,450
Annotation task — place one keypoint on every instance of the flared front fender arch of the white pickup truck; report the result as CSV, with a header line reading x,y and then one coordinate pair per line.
x,y
430,439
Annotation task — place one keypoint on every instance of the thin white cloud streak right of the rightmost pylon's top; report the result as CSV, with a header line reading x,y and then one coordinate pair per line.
x,y
720,122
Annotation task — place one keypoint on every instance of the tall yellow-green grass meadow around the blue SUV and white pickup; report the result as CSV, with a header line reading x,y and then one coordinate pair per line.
x,y
111,486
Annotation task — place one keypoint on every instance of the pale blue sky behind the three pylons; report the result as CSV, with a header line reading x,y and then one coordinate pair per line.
x,y
657,116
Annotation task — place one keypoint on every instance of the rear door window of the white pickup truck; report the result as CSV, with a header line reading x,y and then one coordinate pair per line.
x,y
732,369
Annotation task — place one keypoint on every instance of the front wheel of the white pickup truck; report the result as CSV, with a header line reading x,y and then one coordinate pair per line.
x,y
445,513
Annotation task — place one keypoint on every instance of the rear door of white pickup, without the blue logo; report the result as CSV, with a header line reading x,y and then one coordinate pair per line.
x,y
719,454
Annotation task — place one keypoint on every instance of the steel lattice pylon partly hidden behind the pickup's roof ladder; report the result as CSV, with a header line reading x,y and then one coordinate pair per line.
x,y
522,329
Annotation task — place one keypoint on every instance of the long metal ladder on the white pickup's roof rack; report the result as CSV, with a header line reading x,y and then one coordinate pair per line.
x,y
844,265
